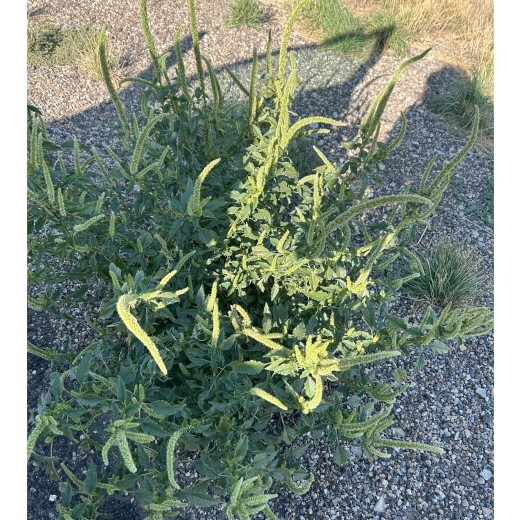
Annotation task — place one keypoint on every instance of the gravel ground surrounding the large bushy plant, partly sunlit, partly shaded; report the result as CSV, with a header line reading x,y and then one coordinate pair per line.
x,y
451,404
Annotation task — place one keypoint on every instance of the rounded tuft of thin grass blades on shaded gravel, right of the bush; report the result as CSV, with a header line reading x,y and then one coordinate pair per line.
x,y
451,276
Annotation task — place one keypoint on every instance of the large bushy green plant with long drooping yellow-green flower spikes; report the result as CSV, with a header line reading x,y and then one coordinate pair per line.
x,y
238,303
